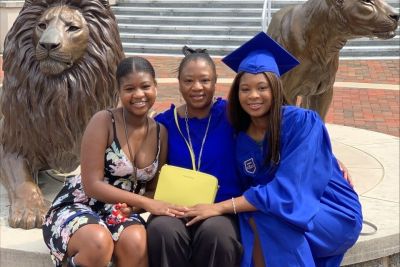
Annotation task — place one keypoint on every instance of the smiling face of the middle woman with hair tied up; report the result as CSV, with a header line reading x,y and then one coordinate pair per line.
x,y
197,84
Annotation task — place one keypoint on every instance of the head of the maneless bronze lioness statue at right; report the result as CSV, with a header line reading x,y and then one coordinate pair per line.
x,y
370,18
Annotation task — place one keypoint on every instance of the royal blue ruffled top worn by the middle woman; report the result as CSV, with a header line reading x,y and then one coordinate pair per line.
x,y
218,156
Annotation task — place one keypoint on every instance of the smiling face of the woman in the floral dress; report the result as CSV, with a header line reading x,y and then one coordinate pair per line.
x,y
138,92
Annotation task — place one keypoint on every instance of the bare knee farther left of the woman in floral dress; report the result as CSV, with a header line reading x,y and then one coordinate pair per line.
x,y
91,246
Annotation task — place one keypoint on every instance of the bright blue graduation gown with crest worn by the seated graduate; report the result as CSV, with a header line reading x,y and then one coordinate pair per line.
x,y
307,214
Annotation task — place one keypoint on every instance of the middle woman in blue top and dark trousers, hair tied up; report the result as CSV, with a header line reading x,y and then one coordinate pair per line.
x,y
204,124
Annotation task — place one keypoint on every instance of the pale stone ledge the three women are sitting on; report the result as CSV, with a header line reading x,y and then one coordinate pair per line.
x,y
371,157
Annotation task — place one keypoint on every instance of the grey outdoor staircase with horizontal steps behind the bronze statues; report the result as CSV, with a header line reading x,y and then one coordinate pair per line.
x,y
162,27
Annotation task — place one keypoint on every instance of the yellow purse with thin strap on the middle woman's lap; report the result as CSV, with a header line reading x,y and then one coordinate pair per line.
x,y
183,186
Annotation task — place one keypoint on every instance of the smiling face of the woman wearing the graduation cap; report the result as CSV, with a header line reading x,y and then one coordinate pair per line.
x,y
255,95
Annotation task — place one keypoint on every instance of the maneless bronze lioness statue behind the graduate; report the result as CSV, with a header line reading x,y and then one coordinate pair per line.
x,y
314,32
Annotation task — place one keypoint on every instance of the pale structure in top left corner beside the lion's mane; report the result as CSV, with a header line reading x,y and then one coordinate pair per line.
x,y
9,11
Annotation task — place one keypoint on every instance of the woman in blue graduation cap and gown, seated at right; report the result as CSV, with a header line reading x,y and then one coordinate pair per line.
x,y
296,209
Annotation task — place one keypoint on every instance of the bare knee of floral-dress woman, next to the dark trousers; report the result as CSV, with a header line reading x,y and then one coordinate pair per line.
x,y
131,248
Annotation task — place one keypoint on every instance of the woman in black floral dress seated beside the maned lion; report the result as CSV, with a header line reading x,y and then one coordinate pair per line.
x,y
122,151
